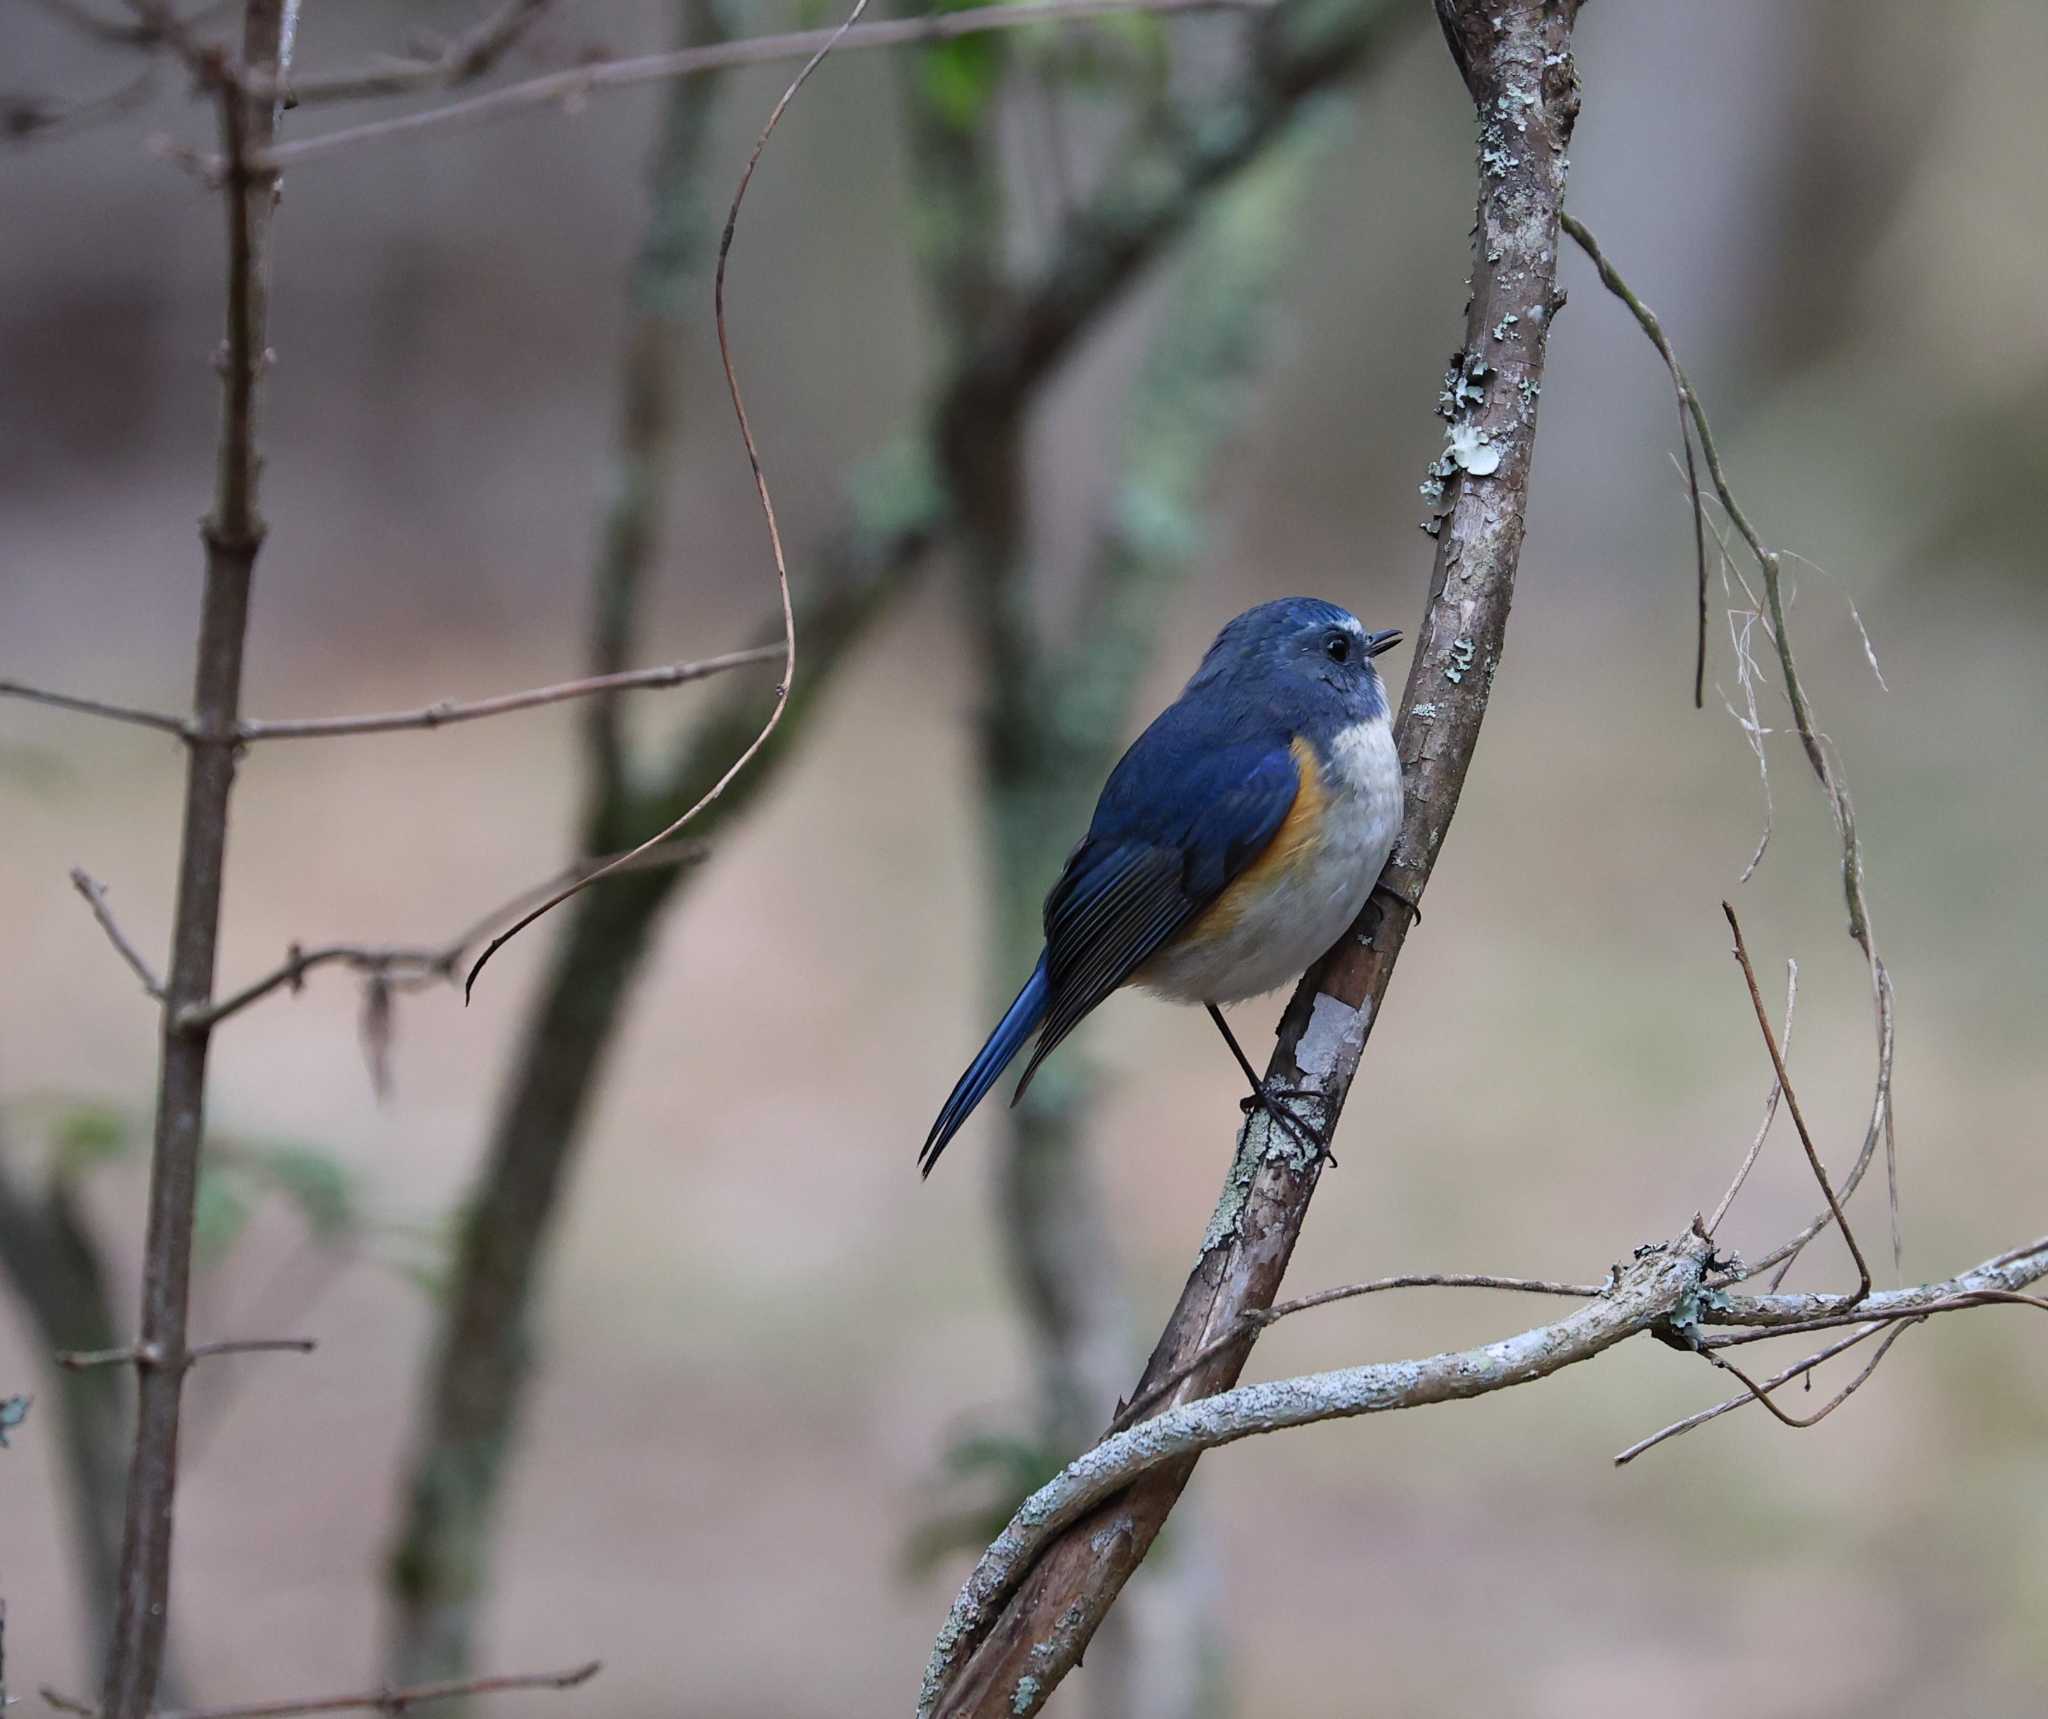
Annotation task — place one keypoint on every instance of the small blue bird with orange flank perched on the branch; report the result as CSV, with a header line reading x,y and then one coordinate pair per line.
x,y
1232,845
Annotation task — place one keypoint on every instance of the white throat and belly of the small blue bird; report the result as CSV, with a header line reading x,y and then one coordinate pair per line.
x,y
1277,937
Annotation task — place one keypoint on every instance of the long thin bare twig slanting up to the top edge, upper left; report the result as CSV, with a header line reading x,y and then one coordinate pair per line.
x,y
622,75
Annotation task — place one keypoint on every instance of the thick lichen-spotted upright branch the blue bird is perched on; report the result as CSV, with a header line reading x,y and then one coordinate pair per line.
x,y
1009,1644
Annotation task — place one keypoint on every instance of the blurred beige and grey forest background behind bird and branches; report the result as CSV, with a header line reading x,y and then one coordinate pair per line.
x,y
763,1349
